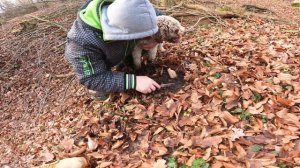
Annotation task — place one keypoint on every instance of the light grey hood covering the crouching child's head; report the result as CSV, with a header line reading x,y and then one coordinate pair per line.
x,y
128,20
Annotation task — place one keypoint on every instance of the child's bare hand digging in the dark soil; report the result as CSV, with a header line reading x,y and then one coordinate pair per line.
x,y
145,85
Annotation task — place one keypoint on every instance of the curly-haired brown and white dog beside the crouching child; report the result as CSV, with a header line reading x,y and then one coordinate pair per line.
x,y
169,30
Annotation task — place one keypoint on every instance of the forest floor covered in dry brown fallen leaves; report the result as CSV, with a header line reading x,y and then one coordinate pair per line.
x,y
235,102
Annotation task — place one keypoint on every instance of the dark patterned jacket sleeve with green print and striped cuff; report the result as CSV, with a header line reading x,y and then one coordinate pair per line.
x,y
92,71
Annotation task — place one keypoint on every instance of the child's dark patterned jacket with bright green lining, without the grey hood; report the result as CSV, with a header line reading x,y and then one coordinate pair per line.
x,y
92,57
